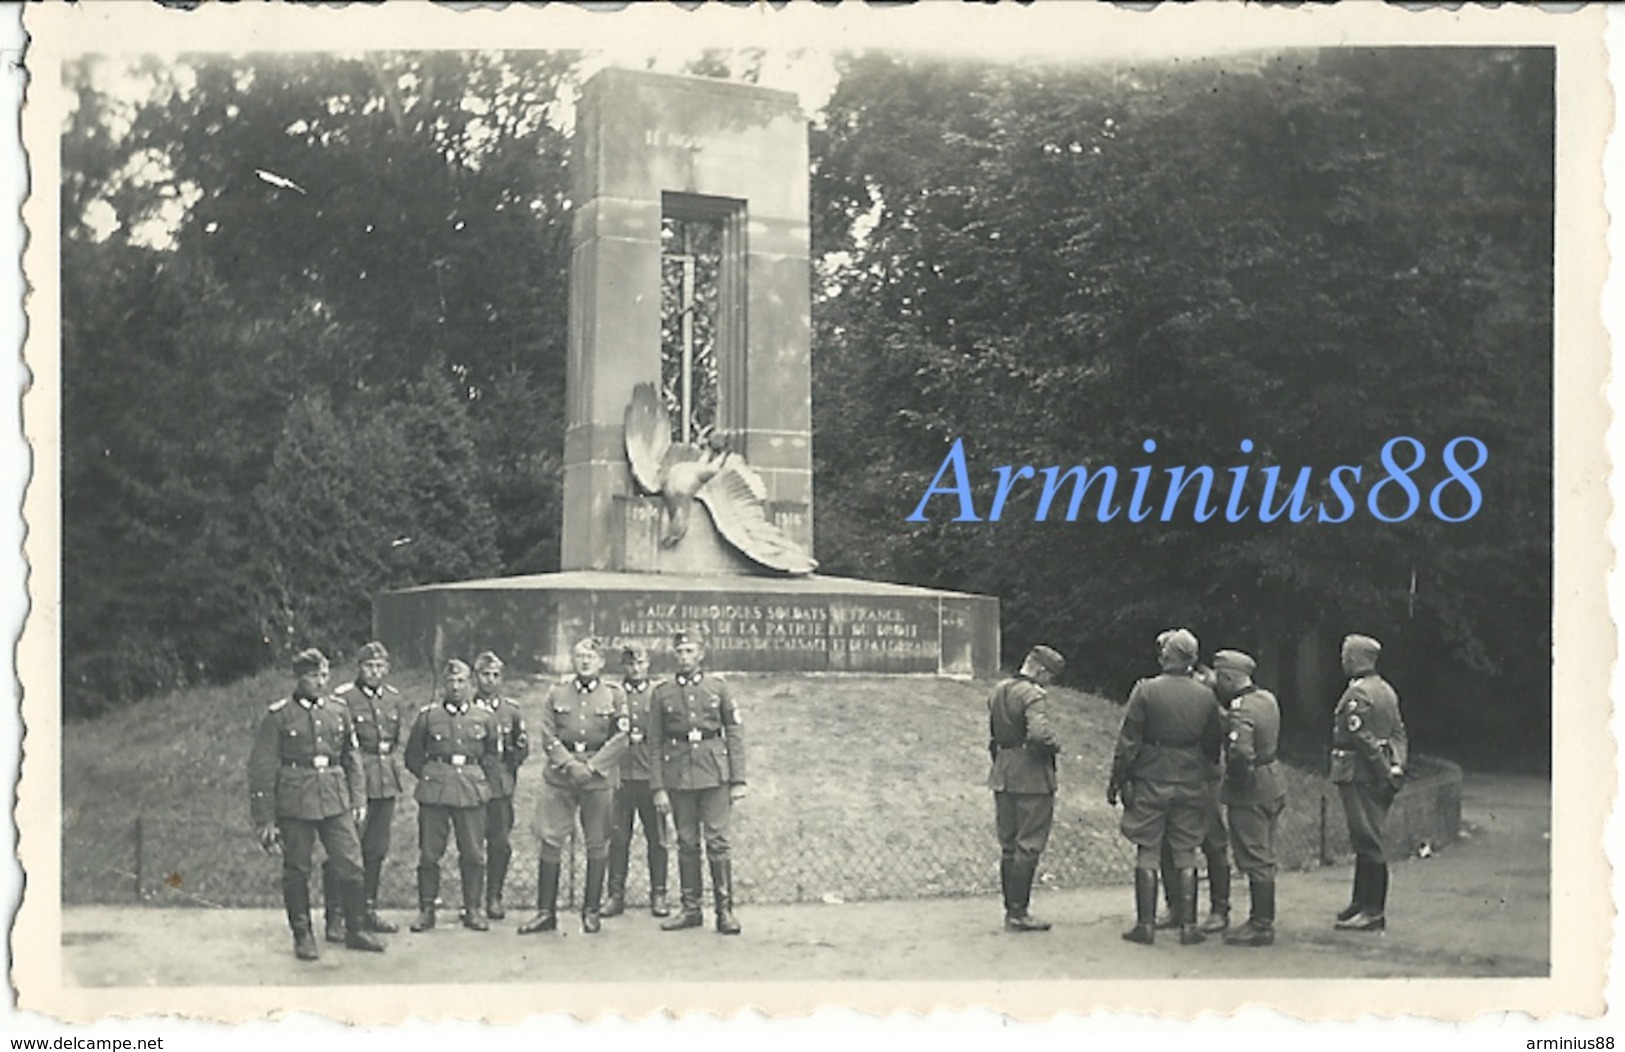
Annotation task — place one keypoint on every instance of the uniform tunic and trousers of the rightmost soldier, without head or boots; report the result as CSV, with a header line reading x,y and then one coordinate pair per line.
x,y
1367,742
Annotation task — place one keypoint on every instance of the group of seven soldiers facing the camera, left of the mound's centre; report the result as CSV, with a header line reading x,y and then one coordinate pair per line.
x,y
331,767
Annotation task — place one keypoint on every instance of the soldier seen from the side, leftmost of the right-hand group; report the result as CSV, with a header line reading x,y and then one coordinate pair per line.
x,y
1023,780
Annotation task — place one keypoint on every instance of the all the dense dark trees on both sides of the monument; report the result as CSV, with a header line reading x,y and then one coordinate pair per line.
x,y
316,315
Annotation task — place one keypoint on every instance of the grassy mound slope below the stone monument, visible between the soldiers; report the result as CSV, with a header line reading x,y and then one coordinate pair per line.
x,y
860,788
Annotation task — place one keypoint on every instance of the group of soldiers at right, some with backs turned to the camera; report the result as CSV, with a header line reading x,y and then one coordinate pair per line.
x,y
1198,747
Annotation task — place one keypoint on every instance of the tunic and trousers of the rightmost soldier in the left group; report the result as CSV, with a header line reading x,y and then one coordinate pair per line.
x,y
700,755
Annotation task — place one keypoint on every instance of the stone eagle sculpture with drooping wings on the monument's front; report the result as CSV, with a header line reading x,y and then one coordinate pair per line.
x,y
719,479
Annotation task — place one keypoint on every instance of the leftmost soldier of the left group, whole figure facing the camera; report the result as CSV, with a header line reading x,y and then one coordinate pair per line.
x,y
306,783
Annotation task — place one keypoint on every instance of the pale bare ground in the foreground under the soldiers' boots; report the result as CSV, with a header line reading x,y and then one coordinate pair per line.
x,y
1499,877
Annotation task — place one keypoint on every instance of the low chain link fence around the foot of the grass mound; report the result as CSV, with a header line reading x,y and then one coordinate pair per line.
x,y
199,861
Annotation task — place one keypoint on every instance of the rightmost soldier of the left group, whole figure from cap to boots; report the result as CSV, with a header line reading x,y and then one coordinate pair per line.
x,y
698,775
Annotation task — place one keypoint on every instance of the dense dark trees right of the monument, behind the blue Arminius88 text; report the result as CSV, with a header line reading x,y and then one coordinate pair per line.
x,y
1312,251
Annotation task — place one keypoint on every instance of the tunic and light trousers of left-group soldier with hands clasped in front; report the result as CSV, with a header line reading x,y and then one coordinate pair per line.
x,y
584,732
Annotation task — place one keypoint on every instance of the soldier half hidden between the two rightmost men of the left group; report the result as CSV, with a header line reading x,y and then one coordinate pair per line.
x,y
635,798
